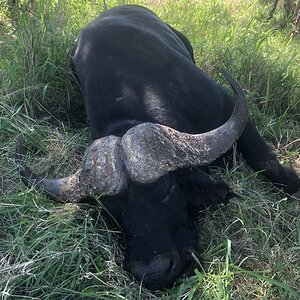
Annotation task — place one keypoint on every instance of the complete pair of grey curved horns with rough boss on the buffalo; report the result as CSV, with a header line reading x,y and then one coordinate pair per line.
x,y
147,151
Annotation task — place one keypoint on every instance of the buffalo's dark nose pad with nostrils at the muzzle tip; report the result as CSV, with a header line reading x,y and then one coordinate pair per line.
x,y
158,267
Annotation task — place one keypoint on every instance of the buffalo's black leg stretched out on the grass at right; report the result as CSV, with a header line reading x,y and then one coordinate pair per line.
x,y
260,157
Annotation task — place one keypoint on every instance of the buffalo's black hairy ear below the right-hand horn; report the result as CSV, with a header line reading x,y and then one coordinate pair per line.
x,y
201,190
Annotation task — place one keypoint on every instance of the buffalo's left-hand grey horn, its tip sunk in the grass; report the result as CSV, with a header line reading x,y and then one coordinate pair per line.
x,y
100,172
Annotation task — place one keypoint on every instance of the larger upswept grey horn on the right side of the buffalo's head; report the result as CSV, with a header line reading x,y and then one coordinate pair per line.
x,y
154,150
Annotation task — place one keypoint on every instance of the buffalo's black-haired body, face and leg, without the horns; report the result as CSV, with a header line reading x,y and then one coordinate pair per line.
x,y
134,68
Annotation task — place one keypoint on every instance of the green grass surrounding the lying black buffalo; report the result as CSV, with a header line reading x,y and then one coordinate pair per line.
x,y
251,248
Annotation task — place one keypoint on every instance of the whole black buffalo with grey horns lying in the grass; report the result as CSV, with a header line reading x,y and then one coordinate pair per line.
x,y
157,122
